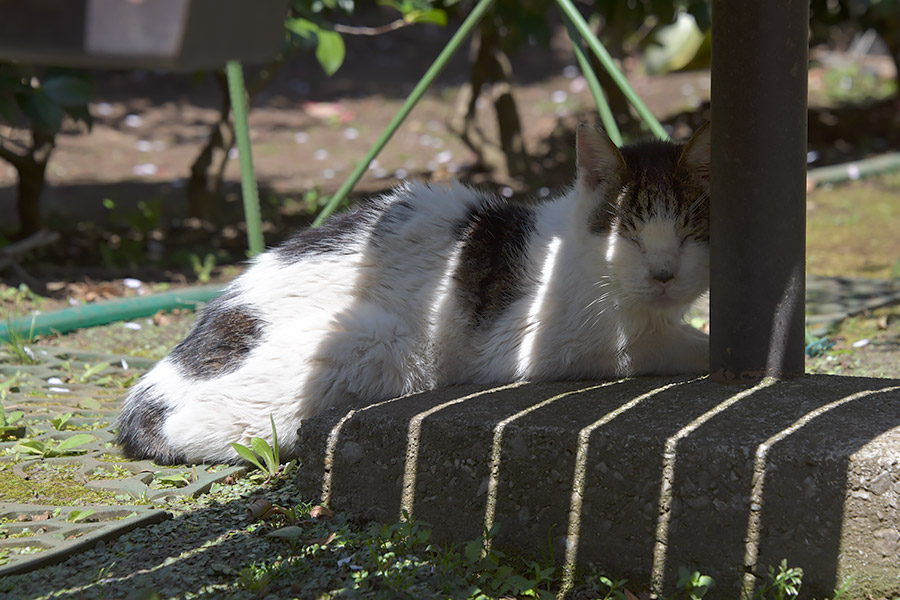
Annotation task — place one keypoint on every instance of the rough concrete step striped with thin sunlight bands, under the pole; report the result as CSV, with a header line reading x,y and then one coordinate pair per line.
x,y
638,476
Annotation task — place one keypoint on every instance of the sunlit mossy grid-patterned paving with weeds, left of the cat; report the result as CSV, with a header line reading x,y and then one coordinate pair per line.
x,y
87,386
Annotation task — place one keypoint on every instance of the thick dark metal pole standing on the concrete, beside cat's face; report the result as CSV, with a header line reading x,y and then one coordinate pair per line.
x,y
758,189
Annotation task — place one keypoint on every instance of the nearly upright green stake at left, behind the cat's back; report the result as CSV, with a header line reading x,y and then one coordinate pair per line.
x,y
237,91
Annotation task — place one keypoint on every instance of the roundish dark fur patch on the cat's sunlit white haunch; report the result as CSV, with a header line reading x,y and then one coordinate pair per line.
x,y
219,341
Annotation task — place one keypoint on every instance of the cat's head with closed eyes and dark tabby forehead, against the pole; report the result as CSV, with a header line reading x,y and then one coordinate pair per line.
x,y
649,207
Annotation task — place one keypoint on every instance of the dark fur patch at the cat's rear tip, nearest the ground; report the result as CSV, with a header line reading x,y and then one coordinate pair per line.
x,y
140,428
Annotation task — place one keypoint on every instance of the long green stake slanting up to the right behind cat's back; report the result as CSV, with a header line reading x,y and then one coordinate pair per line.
x,y
433,71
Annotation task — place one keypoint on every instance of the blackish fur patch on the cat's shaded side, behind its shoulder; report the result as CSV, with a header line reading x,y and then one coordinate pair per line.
x,y
493,259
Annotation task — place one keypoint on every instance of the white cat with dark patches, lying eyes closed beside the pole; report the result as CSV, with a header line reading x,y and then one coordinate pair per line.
x,y
433,285
